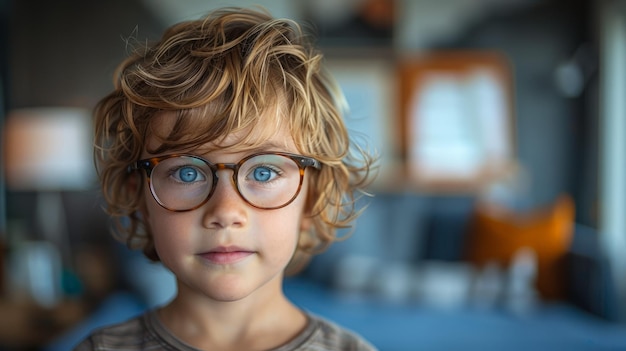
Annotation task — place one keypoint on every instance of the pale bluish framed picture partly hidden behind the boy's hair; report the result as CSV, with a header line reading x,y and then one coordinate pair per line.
x,y
369,87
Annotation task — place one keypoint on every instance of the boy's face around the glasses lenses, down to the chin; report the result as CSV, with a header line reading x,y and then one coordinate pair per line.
x,y
227,249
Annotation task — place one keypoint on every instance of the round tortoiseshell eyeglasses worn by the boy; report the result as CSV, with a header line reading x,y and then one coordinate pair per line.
x,y
264,180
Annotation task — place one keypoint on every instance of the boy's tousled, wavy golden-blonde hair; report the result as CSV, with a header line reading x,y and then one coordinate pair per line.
x,y
218,75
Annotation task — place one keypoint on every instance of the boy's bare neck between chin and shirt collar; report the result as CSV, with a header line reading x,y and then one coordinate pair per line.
x,y
261,321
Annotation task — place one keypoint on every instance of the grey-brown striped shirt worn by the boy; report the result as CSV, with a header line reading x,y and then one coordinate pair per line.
x,y
146,332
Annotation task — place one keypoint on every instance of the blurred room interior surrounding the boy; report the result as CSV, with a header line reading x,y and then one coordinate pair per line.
x,y
499,215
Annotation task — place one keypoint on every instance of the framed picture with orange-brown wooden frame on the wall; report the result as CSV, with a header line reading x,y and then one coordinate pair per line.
x,y
456,112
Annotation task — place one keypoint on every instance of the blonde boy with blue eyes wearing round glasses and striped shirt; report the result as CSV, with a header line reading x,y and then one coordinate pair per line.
x,y
222,153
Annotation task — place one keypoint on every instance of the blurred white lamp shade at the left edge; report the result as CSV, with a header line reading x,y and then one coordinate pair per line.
x,y
48,149
